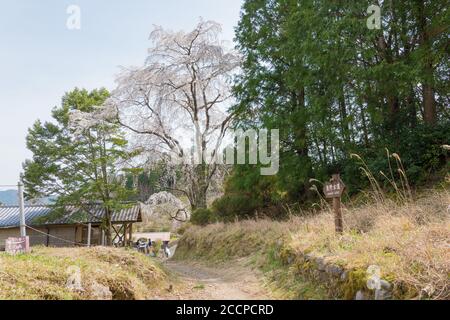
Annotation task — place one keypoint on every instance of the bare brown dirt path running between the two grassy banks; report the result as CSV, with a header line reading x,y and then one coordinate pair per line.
x,y
235,282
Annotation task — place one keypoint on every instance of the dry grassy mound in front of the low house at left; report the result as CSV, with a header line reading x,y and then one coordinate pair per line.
x,y
43,274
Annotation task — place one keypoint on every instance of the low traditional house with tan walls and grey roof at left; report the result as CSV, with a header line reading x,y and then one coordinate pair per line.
x,y
69,228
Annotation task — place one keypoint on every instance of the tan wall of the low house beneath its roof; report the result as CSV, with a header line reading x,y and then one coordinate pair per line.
x,y
68,233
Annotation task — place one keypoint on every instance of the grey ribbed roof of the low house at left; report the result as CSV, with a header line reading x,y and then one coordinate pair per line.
x,y
39,215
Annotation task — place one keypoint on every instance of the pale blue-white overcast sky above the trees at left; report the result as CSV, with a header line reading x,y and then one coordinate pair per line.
x,y
41,59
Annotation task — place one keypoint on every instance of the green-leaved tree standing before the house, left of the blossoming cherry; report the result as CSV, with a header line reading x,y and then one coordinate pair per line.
x,y
77,167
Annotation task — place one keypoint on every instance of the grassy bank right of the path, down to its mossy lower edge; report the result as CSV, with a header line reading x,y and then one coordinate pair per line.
x,y
409,242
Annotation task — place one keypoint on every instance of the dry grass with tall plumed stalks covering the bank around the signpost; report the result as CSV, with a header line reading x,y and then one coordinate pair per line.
x,y
406,235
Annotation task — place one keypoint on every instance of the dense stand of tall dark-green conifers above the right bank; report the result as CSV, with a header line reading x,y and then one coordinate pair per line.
x,y
334,87
